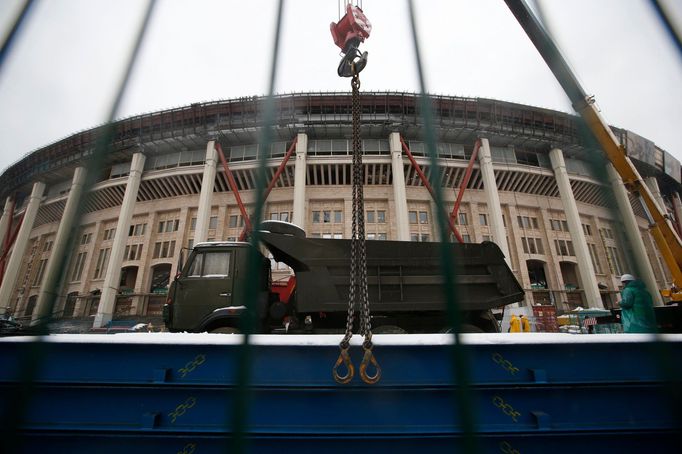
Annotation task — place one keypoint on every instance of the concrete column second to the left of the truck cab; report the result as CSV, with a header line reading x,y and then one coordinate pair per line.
x,y
49,289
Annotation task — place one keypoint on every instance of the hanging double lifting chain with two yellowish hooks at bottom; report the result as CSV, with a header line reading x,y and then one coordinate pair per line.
x,y
357,291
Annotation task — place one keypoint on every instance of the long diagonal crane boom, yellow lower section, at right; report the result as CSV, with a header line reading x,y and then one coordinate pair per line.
x,y
667,240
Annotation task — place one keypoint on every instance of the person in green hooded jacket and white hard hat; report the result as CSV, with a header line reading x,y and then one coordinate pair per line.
x,y
637,307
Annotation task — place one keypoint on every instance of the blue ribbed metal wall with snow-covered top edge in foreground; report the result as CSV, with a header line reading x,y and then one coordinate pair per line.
x,y
176,393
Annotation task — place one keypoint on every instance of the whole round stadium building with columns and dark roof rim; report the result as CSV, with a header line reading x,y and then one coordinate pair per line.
x,y
537,188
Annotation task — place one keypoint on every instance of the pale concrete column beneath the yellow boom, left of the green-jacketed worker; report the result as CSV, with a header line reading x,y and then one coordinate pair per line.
x,y
644,270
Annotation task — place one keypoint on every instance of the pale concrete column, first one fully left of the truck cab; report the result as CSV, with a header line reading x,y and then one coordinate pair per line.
x,y
107,302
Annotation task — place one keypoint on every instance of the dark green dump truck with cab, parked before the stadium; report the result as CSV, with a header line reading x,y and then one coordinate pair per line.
x,y
405,285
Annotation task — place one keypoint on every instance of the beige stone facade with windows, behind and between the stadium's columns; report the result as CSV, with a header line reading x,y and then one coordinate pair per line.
x,y
165,214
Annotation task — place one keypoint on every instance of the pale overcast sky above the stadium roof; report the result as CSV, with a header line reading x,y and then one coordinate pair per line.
x,y
61,75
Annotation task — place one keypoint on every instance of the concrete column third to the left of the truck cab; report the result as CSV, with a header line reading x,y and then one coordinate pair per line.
x,y
19,249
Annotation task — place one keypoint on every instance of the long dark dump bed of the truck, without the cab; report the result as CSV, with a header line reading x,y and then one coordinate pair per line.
x,y
402,276
